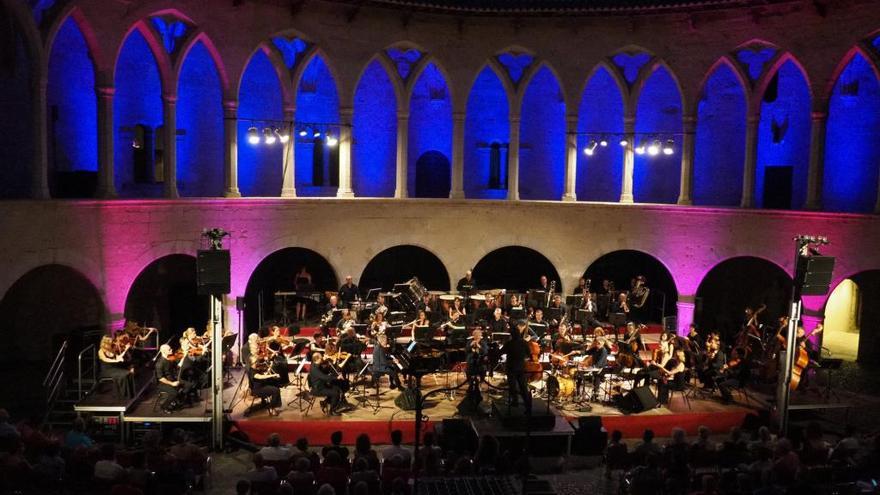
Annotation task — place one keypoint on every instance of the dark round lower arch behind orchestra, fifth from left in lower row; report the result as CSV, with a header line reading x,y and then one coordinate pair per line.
x,y
515,268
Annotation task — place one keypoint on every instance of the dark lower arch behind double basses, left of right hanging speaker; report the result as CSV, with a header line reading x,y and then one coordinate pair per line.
x,y
735,284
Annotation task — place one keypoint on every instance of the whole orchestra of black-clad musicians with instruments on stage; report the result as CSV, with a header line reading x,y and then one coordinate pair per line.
x,y
536,355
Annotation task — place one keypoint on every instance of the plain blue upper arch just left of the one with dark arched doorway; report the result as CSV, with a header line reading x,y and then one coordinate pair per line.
x,y
374,153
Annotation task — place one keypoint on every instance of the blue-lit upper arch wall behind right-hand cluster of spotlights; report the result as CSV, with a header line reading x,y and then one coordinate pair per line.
x,y
656,178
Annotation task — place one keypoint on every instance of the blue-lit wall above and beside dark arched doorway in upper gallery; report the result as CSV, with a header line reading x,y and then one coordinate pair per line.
x,y
430,120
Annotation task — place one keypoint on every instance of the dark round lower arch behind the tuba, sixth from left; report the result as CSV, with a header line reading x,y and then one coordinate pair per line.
x,y
622,267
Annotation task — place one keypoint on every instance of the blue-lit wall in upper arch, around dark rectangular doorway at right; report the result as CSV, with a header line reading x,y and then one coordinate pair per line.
x,y
790,115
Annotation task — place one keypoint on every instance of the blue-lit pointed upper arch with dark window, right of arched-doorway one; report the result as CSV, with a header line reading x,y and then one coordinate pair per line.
x,y
486,136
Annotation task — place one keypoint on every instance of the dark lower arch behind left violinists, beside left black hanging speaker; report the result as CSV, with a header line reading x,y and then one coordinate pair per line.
x,y
165,295
